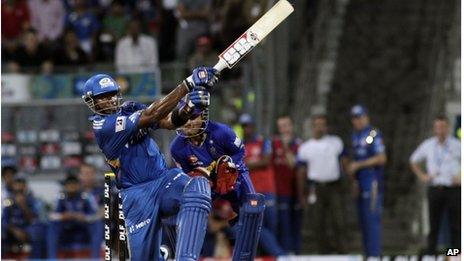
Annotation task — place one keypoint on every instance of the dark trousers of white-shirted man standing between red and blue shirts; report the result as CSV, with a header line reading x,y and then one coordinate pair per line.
x,y
328,214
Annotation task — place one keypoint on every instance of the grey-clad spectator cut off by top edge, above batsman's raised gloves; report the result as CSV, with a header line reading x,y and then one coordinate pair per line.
x,y
193,17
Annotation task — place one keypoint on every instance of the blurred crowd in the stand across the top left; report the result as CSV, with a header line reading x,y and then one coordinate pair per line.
x,y
134,35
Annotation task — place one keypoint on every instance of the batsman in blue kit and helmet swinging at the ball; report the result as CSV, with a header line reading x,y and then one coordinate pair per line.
x,y
149,189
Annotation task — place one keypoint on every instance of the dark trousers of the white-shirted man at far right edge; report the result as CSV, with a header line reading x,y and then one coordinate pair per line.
x,y
441,200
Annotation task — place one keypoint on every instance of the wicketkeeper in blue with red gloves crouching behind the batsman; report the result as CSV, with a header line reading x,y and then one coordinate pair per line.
x,y
211,149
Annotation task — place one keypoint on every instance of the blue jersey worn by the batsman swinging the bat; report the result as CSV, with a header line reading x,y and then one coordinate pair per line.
x,y
133,156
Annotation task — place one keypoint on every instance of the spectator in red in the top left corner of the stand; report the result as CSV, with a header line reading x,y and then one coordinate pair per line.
x,y
15,19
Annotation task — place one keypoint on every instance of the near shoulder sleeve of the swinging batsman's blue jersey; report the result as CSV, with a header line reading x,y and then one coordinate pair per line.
x,y
117,132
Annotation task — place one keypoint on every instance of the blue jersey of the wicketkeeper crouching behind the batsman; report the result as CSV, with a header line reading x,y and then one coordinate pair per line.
x,y
220,140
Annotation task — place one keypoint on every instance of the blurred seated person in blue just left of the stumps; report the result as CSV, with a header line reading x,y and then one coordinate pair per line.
x,y
71,228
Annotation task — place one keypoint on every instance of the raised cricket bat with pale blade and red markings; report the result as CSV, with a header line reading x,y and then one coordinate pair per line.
x,y
254,35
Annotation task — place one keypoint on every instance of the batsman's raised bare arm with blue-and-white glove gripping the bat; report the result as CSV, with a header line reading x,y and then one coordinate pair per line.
x,y
162,111
